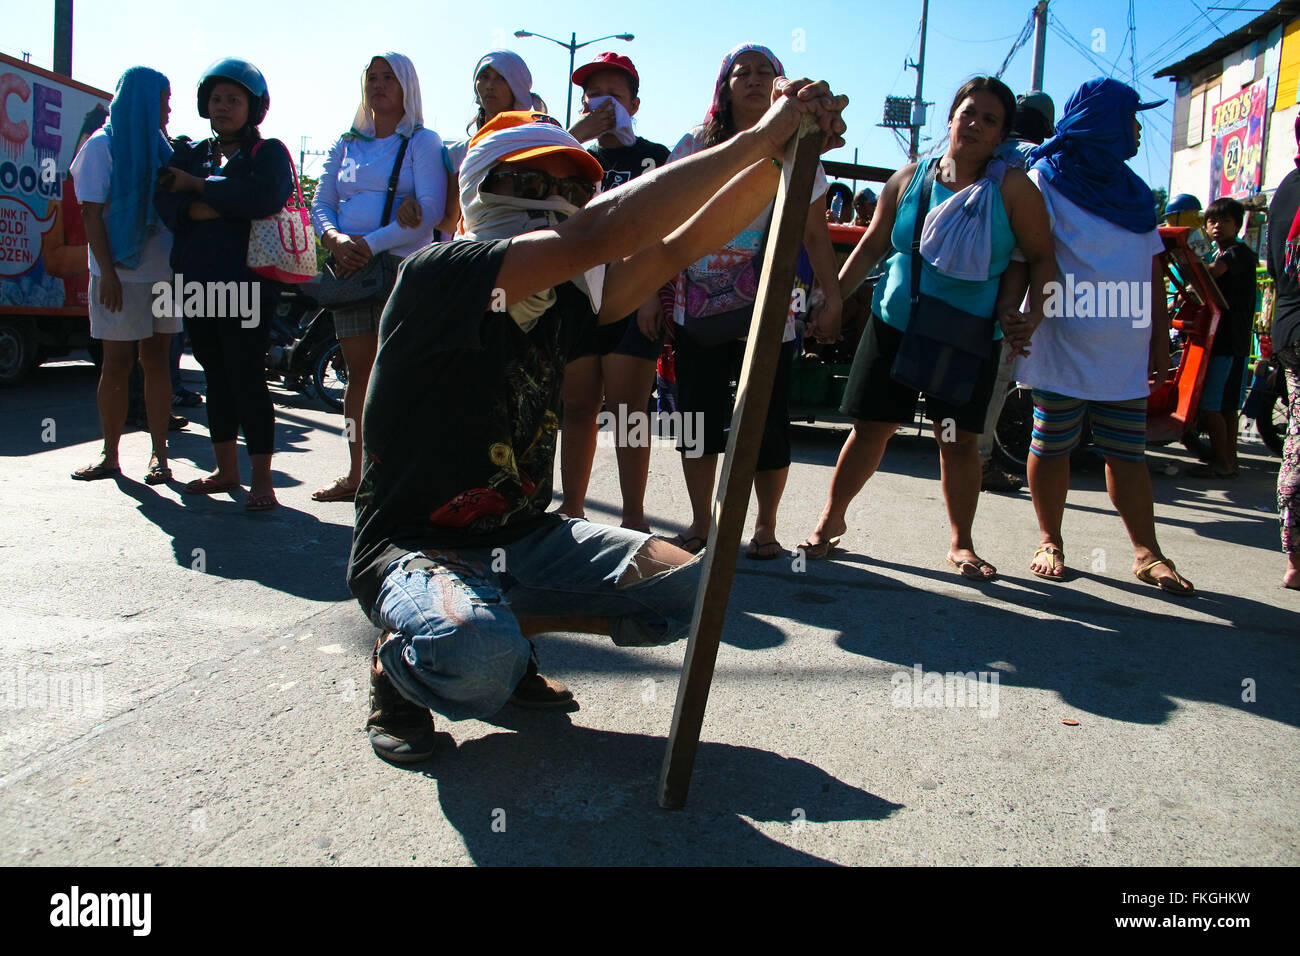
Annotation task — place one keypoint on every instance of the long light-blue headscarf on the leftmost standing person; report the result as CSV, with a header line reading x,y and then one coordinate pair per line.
x,y
140,150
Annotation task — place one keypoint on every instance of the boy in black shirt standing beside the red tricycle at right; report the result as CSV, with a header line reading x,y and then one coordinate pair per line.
x,y
1234,270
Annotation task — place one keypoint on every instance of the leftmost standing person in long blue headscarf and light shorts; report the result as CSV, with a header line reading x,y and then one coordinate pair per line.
x,y
129,249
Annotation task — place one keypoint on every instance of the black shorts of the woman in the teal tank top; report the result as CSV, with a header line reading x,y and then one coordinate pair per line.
x,y
872,395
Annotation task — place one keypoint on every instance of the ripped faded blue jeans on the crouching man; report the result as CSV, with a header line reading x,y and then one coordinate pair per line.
x,y
457,646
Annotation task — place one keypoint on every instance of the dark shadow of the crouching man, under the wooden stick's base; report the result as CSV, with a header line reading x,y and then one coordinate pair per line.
x,y
553,794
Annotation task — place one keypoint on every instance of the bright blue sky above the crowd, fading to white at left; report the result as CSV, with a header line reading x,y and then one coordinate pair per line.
x,y
313,55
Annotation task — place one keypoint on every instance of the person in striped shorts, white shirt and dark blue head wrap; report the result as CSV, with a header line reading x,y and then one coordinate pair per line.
x,y
1099,351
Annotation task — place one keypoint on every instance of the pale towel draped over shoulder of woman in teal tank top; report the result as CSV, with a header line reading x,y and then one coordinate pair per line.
x,y
959,235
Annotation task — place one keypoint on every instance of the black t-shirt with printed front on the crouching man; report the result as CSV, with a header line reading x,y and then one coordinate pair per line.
x,y
461,416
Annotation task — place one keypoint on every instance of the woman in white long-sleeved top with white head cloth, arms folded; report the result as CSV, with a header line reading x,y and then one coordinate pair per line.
x,y
349,213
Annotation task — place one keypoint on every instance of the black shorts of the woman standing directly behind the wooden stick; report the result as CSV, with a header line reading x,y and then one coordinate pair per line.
x,y
705,375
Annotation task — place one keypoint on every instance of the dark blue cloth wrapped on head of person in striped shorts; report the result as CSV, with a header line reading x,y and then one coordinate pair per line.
x,y
1086,159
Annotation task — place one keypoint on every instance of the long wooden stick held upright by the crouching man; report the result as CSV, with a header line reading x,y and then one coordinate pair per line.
x,y
762,354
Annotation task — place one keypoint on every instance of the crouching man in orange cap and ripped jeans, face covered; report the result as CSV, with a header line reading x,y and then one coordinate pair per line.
x,y
454,555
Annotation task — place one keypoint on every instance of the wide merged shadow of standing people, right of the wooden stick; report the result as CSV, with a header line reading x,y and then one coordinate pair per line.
x,y
1108,657
